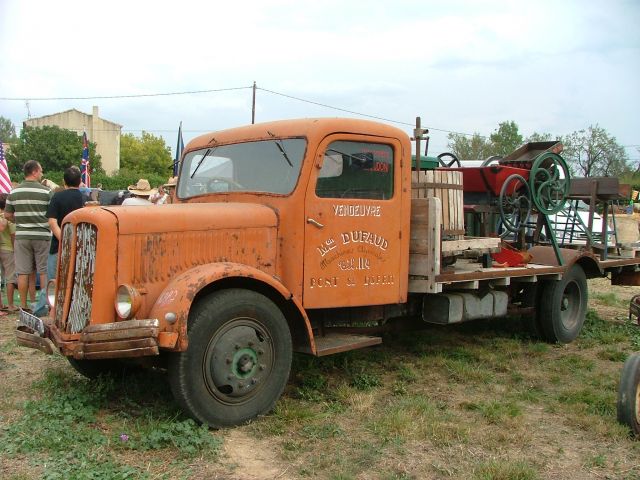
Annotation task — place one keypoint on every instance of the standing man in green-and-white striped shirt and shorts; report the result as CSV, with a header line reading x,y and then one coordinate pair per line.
x,y
27,207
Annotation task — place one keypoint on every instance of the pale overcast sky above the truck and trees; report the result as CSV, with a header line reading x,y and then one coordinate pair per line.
x,y
551,66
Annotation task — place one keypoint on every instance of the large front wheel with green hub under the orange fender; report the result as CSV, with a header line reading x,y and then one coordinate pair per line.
x,y
238,360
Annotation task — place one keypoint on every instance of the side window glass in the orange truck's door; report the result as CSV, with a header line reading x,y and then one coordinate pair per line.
x,y
356,170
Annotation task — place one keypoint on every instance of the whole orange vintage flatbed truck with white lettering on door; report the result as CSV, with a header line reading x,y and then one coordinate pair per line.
x,y
299,235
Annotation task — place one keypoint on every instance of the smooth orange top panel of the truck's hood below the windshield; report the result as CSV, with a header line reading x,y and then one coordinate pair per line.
x,y
192,217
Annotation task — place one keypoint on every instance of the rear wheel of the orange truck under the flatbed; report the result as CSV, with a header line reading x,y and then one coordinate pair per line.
x,y
563,306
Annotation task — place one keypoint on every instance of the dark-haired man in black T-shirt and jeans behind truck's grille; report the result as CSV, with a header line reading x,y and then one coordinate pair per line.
x,y
62,203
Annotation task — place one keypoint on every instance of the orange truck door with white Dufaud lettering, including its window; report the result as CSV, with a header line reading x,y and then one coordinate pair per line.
x,y
353,223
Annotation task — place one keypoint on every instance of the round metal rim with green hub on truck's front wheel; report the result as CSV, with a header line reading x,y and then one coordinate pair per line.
x,y
238,361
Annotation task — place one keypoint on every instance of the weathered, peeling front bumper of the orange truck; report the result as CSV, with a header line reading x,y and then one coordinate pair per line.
x,y
126,339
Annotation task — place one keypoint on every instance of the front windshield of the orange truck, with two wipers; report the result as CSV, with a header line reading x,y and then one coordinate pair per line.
x,y
270,166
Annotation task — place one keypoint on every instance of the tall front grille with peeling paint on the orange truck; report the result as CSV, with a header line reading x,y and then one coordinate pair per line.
x,y
75,273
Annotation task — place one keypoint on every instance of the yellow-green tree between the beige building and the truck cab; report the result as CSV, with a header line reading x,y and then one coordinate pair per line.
x,y
144,155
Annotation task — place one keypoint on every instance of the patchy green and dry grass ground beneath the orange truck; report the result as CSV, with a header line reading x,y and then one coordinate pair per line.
x,y
480,400
